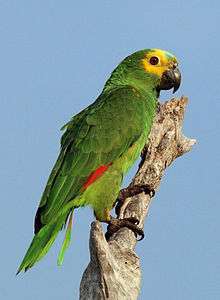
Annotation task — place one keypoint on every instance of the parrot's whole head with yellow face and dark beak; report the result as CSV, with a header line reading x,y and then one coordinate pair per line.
x,y
154,69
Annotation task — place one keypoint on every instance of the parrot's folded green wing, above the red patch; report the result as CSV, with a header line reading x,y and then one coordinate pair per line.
x,y
96,136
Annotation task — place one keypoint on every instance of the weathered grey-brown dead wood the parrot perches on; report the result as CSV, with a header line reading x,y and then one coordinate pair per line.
x,y
114,271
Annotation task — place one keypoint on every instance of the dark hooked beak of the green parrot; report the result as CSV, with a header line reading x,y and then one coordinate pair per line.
x,y
170,79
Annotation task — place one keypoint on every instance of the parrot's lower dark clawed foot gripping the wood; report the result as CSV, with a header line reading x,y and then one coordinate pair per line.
x,y
115,224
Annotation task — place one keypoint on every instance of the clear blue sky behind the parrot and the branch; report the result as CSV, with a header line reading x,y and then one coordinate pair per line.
x,y
55,58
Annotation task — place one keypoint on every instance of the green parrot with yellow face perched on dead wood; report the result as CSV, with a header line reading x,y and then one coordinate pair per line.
x,y
99,145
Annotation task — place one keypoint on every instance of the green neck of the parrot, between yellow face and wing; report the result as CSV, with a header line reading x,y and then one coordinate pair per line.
x,y
121,77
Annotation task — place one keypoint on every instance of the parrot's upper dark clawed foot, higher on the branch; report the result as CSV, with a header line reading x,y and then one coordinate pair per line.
x,y
130,192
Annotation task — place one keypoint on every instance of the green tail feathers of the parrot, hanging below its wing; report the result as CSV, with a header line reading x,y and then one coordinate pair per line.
x,y
44,239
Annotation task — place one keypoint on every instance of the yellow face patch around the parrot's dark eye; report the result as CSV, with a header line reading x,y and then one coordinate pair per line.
x,y
158,61
